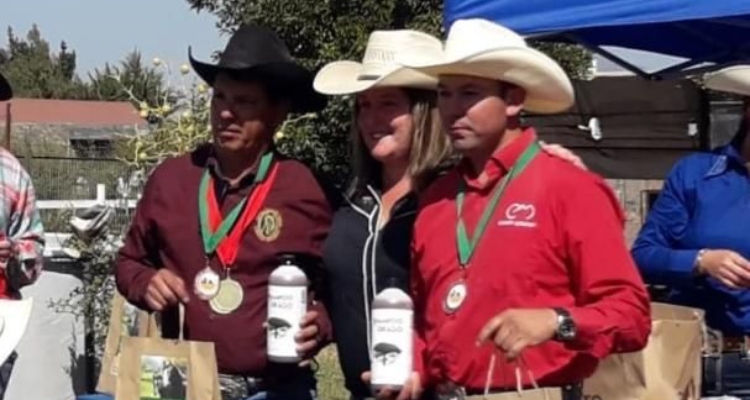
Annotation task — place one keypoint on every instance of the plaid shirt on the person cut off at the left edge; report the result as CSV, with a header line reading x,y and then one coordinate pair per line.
x,y
19,220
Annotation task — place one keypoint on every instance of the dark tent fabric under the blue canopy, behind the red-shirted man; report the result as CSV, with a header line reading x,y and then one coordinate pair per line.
x,y
646,126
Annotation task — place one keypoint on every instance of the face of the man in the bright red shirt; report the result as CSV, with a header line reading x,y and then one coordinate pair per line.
x,y
475,111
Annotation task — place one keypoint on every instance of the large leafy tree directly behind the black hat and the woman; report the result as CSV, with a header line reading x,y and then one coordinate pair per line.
x,y
322,31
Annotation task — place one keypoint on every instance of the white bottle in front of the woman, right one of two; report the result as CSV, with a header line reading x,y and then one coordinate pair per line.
x,y
392,338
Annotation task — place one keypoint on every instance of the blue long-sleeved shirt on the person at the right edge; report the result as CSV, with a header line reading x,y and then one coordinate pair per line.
x,y
705,203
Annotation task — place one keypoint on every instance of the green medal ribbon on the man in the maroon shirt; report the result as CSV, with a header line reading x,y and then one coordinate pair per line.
x,y
211,240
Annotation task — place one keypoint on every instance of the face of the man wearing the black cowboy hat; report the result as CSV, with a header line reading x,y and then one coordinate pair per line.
x,y
242,115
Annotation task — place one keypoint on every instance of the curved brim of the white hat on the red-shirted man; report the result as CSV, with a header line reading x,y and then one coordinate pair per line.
x,y
548,88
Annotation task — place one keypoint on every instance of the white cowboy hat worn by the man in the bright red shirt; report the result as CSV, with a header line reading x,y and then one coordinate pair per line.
x,y
477,47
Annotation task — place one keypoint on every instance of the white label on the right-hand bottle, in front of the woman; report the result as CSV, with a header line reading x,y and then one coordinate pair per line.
x,y
392,342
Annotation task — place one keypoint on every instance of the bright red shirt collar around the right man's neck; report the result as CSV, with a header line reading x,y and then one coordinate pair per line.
x,y
501,161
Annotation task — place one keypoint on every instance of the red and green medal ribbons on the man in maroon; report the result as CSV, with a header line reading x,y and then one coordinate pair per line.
x,y
215,232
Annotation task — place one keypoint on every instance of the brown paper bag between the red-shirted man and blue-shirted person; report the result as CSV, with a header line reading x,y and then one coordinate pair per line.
x,y
669,368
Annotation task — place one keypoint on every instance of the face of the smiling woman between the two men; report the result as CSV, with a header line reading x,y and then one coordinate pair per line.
x,y
385,122
